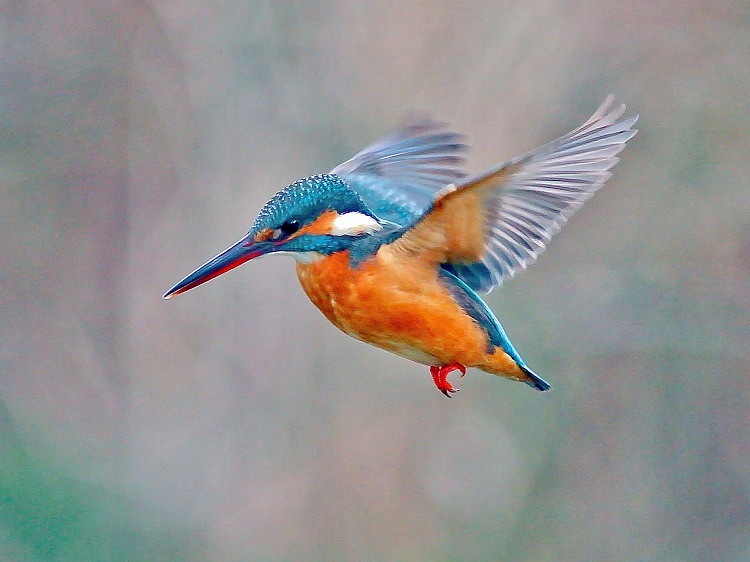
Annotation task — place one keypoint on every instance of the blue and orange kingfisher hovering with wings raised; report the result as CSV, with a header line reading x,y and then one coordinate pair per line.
x,y
395,245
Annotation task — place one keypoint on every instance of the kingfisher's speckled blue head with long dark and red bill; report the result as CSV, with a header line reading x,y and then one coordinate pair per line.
x,y
308,219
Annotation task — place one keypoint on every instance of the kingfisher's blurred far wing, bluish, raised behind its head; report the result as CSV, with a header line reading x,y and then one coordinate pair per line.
x,y
397,176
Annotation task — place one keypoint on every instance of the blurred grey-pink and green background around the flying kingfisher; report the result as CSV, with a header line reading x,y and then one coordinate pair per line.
x,y
138,139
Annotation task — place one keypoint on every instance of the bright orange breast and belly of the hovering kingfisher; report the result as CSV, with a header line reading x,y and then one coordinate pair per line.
x,y
395,303
